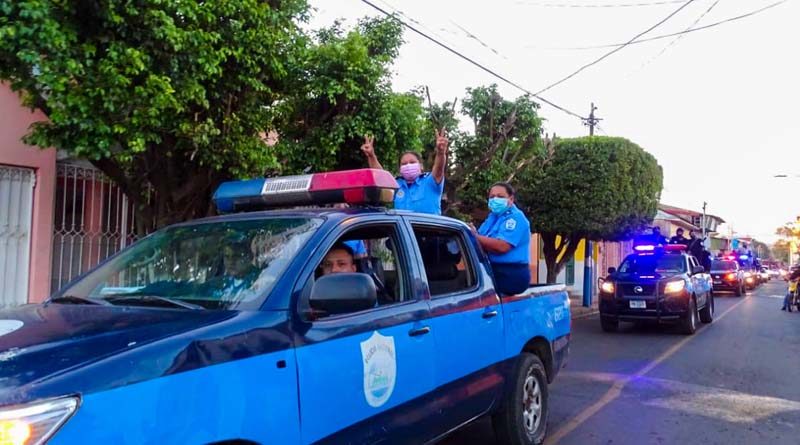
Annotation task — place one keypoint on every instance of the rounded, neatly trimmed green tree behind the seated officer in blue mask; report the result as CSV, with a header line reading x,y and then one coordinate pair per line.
x,y
597,188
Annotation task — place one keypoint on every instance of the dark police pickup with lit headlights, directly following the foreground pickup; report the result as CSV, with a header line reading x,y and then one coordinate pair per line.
x,y
660,284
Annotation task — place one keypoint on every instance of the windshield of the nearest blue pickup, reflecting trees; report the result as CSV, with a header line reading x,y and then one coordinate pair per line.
x,y
215,265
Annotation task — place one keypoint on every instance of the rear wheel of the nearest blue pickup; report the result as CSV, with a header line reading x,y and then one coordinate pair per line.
x,y
522,419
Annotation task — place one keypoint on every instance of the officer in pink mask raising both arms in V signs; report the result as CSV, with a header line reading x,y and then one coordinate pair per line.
x,y
418,191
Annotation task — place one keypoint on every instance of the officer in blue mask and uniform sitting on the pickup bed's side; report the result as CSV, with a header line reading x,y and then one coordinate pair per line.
x,y
506,237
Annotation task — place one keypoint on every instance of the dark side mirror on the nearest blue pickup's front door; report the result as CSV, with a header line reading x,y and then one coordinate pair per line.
x,y
343,293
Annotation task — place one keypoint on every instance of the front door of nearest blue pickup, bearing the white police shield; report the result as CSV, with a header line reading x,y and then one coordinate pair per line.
x,y
363,377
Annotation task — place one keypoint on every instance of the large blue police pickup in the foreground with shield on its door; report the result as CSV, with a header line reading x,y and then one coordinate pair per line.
x,y
340,324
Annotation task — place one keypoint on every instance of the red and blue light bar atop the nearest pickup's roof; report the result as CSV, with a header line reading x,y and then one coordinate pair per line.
x,y
357,187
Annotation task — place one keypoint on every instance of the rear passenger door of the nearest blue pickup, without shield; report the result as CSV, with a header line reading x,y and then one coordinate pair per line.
x,y
466,320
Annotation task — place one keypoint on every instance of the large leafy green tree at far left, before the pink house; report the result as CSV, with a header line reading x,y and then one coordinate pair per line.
x,y
161,95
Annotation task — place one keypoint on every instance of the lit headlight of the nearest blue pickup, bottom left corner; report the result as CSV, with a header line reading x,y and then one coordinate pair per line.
x,y
34,424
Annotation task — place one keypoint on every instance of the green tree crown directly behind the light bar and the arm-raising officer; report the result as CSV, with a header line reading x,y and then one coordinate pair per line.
x,y
342,92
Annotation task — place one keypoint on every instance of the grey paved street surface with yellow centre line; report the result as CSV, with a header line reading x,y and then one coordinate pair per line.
x,y
736,381
